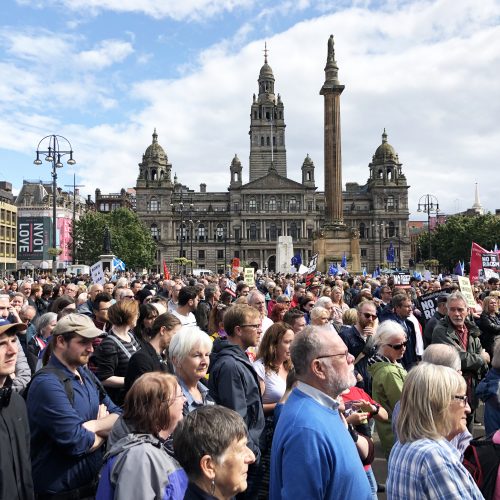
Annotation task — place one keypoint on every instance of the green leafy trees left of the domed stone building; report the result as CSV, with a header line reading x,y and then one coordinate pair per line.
x,y
131,240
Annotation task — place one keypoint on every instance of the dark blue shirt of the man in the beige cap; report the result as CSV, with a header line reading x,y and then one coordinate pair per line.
x,y
59,443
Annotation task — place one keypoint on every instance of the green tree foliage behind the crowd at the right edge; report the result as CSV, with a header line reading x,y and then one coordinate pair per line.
x,y
452,241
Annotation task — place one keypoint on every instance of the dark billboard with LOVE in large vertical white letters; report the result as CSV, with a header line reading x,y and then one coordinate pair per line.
x,y
33,238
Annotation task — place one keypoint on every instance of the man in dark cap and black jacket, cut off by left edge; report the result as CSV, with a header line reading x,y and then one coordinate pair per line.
x,y
15,466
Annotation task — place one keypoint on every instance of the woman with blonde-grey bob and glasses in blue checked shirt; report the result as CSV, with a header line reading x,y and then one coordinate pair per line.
x,y
423,464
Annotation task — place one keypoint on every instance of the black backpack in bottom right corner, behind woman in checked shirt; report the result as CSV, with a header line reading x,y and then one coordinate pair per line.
x,y
481,459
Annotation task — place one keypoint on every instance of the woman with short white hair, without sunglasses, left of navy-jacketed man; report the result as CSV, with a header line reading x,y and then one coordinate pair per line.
x,y
189,351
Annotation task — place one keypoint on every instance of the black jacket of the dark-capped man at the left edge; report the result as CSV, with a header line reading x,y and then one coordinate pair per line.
x,y
15,463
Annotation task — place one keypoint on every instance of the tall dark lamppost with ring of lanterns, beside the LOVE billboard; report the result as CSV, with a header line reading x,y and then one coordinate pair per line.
x,y
53,154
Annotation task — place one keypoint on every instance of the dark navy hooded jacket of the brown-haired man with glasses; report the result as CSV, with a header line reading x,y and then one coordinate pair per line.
x,y
233,383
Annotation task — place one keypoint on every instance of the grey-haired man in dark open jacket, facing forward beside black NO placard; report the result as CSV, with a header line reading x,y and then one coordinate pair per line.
x,y
457,330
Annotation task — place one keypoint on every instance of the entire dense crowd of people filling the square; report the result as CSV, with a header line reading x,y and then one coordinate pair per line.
x,y
202,388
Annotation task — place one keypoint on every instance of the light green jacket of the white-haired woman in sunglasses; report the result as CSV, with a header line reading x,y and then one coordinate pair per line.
x,y
387,384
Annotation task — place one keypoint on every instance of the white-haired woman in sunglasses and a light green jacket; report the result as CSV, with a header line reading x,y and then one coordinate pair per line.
x,y
388,375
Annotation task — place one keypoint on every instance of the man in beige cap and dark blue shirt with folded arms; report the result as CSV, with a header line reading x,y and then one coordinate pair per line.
x,y
68,424
